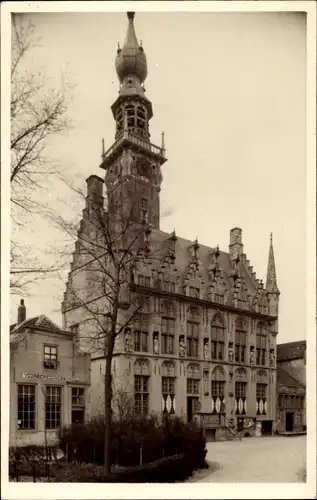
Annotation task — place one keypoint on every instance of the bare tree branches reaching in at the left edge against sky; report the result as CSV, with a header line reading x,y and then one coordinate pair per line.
x,y
38,113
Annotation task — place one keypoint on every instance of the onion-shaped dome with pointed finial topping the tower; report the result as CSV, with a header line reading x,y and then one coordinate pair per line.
x,y
131,58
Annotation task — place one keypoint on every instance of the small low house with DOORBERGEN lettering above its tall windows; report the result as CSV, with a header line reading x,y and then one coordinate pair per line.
x,y
46,369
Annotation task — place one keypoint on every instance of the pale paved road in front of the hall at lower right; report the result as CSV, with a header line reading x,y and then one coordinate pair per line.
x,y
257,460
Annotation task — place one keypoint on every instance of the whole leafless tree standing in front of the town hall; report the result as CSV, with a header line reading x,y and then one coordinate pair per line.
x,y
111,248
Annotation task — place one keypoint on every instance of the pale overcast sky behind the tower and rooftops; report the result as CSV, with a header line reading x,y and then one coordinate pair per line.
x,y
228,89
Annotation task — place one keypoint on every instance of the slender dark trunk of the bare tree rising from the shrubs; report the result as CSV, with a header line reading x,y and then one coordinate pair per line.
x,y
108,410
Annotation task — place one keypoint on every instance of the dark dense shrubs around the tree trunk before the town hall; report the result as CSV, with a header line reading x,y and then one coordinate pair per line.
x,y
135,440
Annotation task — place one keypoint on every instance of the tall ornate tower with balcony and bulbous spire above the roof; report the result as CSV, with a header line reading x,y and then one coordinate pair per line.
x,y
133,164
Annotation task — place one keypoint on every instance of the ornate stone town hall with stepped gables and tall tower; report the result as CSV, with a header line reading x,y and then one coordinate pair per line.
x,y
203,343
